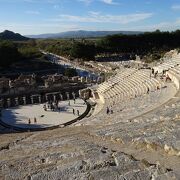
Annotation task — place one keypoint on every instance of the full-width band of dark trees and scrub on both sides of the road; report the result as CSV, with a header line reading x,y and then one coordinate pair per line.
x,y
149,44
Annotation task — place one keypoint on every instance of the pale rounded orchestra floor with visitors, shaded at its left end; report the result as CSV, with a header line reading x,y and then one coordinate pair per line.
x,y
34,116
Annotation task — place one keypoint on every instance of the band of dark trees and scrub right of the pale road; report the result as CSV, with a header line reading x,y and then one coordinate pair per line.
x,y
149,43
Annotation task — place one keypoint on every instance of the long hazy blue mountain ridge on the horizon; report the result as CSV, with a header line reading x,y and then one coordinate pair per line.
x,y
82,34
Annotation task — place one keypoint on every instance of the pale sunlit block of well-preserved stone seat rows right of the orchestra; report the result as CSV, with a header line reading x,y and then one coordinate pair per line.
x,y
129,83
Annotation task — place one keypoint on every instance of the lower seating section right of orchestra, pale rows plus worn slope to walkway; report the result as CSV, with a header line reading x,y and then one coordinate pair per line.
x,y
130,93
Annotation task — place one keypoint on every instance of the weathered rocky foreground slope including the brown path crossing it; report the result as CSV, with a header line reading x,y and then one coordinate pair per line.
x,y
75,153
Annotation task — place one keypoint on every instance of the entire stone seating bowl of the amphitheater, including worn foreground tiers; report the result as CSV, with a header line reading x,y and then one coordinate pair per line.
x,y
139,138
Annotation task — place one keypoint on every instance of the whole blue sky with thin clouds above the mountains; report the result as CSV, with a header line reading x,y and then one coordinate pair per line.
x,y
53,16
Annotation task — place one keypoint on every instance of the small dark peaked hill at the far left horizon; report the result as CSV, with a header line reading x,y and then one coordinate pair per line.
x,y
9,35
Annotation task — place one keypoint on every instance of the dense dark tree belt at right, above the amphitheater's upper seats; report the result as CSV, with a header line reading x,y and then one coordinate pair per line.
x,y
142,43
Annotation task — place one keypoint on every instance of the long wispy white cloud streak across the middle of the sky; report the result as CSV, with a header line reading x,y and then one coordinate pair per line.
x,y
96,17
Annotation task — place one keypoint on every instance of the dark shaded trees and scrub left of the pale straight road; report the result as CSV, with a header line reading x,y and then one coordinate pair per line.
x,y
24,56
